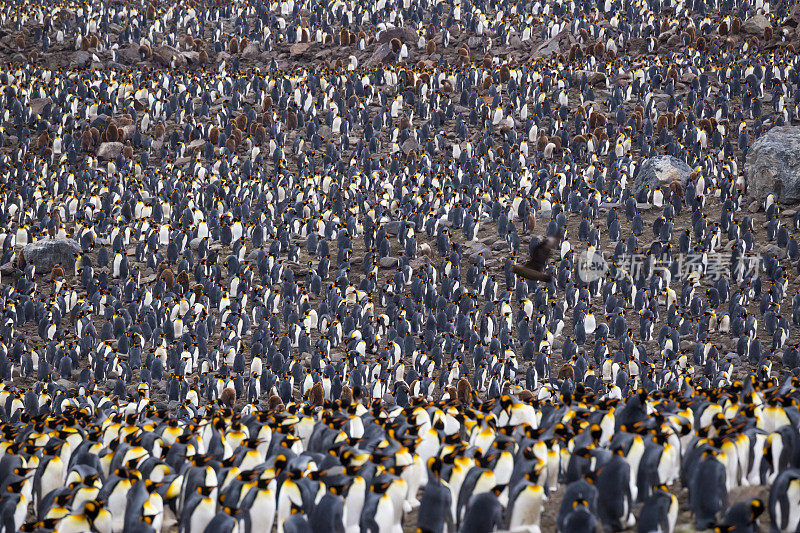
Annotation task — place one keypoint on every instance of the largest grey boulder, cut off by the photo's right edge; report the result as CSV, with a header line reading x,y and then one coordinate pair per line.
x,y
773,165
